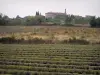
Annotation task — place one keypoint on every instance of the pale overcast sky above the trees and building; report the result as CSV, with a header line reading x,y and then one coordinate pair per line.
x,y
23,8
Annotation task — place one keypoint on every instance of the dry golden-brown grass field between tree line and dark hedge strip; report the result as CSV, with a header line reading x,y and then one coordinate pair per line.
x,y
54,33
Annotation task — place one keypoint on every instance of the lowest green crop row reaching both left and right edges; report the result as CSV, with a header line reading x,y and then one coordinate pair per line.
x,y
45,69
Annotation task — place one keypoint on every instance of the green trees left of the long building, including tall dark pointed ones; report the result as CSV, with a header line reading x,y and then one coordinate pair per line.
x,y
28,20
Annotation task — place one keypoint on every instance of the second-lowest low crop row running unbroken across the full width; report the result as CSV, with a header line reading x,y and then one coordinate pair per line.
x,y
93,67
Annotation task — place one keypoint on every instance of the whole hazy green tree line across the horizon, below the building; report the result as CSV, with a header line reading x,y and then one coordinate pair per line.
x,y
40,19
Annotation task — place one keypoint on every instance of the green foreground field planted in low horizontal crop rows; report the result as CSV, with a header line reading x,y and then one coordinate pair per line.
x,y
49,59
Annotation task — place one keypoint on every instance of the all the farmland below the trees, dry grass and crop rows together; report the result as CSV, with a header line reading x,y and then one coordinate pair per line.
x,y
54,56
